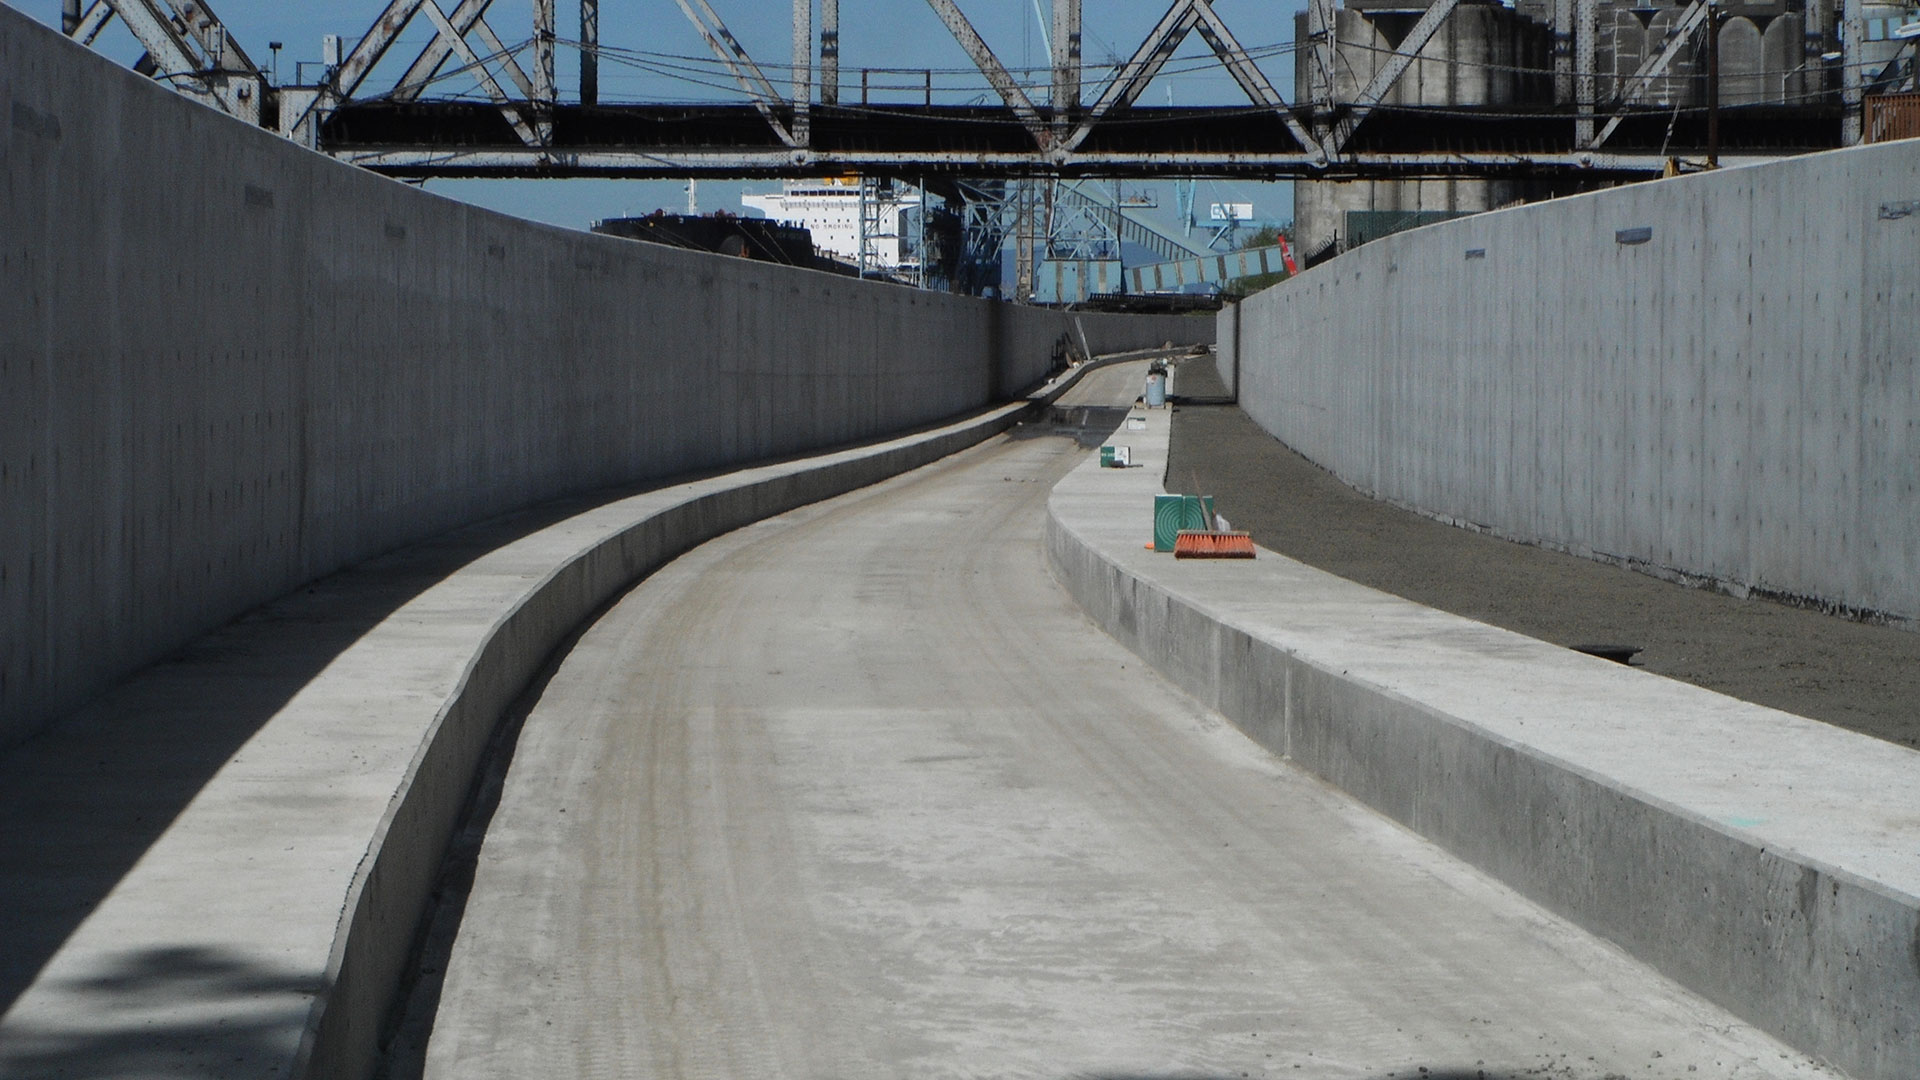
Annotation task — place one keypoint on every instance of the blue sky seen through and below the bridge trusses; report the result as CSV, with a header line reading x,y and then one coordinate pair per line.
x,y
875,34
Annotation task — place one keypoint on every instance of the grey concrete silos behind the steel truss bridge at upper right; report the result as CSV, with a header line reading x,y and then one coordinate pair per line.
x,y
1773,57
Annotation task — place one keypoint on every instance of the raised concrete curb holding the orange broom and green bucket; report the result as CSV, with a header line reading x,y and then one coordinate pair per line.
x,y
1765,862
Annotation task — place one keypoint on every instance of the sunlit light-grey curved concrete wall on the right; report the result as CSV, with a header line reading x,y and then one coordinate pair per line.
x,y
1731,401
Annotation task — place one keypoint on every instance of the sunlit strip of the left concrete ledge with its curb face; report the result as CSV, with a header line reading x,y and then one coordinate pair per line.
x,y
375,758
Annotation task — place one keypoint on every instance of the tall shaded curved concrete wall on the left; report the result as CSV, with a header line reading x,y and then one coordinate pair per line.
x,y
231,366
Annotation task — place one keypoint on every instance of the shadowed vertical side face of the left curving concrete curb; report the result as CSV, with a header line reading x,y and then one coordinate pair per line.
x,y
627,541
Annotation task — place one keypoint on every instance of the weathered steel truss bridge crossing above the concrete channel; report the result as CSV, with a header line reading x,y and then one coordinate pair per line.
x,y
800,126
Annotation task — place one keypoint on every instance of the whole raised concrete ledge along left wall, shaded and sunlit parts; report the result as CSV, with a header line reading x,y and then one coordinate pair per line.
x,y
266,925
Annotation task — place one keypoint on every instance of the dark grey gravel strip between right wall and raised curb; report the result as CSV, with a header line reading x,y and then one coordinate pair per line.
x,y
1817,666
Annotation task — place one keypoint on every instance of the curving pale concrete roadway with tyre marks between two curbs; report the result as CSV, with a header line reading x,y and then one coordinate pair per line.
x,y
861,793
